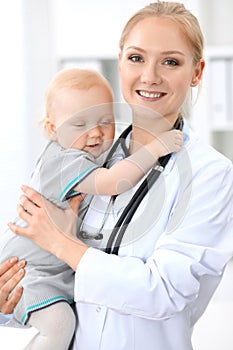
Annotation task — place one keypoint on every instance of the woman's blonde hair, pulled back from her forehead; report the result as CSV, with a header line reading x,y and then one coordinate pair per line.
x,y
177,12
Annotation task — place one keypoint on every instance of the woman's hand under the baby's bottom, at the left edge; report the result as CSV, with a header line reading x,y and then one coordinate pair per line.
x,y
11,272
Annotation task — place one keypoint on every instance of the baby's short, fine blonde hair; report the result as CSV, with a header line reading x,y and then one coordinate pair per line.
x,y
73,78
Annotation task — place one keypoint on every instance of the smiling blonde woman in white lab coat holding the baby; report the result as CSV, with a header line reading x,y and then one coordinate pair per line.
x,y
150,286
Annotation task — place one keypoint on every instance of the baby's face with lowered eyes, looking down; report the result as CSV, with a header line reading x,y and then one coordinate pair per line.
x,y
85,120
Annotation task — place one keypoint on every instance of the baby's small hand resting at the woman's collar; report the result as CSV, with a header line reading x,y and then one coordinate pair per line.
x,y
170,141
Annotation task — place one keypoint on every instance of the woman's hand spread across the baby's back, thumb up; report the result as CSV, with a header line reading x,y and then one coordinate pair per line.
x,y
51,228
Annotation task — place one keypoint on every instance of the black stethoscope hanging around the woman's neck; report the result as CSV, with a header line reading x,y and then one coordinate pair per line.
x,y
117,234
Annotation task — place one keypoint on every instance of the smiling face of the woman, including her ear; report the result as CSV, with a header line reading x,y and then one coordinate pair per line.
x,y
156,66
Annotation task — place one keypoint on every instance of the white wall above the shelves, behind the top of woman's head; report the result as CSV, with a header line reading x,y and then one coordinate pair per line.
x,y
92,28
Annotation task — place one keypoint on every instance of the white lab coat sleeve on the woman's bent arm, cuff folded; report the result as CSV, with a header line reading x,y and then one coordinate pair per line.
x,y
195,246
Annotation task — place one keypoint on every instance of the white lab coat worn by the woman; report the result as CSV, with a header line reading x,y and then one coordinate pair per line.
x,y
170,263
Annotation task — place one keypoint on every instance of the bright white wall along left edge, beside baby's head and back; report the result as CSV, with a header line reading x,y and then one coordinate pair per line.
x,y
26,64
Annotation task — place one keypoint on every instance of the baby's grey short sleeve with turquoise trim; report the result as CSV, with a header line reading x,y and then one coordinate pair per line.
x,y
61,171
